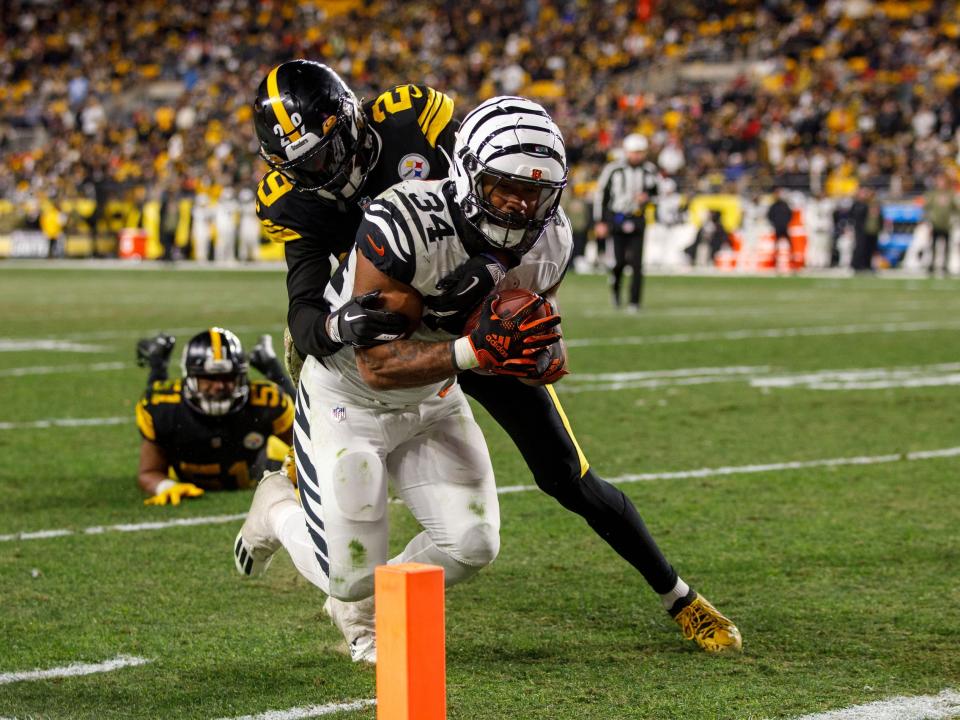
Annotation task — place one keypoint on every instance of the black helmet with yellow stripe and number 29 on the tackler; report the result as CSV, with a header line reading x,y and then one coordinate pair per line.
x,y
312,129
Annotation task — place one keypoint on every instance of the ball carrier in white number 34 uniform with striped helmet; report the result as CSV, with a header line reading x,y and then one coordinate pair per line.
x,y
395,410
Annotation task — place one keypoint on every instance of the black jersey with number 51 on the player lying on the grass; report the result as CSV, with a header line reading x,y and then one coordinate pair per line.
x,y
213,452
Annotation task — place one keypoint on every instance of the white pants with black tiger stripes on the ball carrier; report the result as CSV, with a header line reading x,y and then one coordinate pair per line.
x,y
347,448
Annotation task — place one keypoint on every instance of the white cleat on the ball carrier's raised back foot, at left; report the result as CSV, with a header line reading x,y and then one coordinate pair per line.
x,y
256,544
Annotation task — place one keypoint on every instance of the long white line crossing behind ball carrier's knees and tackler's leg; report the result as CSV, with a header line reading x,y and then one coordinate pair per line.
x,y
509,489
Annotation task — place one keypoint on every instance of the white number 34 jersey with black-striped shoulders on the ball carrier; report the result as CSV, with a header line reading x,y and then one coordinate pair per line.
x,y
416,234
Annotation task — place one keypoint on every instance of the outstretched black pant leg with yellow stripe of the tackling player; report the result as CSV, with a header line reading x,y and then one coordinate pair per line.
x,y
535,422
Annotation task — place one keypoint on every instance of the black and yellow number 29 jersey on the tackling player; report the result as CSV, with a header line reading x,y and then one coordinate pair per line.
x,y
415,131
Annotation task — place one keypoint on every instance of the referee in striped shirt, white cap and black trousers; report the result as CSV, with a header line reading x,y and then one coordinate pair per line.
x,y
623,192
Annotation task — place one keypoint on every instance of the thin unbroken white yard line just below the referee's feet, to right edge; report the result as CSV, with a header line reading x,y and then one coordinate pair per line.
x,y
751,334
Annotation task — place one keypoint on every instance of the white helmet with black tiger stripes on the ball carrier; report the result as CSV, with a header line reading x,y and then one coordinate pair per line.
x,y
509,146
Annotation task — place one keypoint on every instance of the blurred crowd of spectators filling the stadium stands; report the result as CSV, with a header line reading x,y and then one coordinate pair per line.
x,y
151,99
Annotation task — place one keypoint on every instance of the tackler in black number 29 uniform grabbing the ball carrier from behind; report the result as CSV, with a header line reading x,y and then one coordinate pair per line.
x,y
408,133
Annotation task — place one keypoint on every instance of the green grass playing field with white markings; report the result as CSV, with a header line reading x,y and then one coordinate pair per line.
x,y
843,578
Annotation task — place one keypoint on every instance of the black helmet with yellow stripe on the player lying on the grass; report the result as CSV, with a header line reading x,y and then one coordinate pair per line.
x,y
216,354
